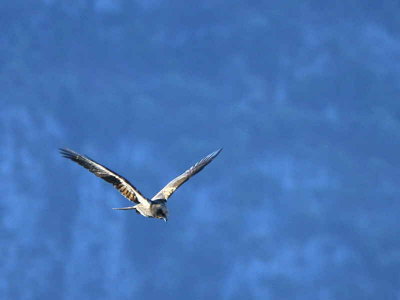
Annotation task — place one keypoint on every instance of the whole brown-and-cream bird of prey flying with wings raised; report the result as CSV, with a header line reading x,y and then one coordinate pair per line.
x,y
155,207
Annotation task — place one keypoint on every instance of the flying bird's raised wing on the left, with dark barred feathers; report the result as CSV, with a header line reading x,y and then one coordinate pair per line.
x,y
119,182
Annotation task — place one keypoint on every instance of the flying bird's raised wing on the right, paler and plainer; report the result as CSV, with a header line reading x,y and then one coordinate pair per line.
x,y
168,190
